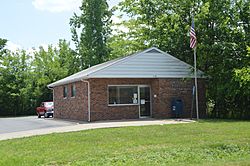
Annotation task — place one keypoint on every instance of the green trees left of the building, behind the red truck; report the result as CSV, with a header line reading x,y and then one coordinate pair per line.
x,y
24,77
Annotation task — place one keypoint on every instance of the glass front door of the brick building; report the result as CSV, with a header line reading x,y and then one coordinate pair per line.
x,y
145,108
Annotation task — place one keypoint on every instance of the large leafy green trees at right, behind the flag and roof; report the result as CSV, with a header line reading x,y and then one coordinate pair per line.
x,y
222,29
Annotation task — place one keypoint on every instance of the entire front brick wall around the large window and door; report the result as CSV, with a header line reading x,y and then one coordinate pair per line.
x,y
164,89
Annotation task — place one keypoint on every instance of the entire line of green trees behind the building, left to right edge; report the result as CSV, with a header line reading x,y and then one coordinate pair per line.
x,y
223,50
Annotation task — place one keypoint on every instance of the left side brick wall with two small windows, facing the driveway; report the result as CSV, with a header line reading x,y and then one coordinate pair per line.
x,y
75,108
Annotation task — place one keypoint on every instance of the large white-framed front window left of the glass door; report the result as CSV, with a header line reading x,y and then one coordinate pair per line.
x,y
123,95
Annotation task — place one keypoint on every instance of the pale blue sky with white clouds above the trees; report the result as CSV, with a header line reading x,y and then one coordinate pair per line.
x,y
29,24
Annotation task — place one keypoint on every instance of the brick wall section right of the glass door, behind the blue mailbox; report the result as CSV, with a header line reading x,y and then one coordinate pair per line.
x,y
168,89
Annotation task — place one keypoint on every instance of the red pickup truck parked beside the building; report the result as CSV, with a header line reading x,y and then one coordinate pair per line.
x,y
46,109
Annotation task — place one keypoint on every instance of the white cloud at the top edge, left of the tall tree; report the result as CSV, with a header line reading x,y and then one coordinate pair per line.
x,y
56,6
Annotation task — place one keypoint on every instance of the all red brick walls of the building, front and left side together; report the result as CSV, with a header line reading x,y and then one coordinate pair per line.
x,y
164,89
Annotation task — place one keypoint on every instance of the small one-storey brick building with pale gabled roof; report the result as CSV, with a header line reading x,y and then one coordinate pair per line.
x,y
141,85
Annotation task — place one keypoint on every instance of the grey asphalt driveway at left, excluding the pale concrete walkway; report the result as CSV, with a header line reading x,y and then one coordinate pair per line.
x,y
10,125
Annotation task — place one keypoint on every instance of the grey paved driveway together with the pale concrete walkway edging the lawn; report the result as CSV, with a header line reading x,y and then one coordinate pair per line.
x,y
30,126
